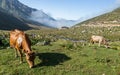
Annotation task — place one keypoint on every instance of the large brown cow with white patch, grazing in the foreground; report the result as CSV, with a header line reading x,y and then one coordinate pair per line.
x,y
20,41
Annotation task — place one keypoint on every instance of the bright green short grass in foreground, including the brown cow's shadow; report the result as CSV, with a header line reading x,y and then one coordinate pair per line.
x,y
57,60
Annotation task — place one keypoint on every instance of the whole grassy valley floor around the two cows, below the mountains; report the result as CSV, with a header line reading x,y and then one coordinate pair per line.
x,y
67,53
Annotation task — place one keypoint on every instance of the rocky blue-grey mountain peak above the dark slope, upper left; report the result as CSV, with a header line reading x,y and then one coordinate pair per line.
x,y
14,7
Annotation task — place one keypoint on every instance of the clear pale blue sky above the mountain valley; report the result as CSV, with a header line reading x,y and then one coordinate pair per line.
x,y
72,9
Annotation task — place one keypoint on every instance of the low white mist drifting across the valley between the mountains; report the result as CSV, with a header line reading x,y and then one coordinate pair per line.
x,y
46,19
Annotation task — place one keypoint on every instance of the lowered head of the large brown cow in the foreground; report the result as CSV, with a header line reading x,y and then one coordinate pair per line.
x,y
30,58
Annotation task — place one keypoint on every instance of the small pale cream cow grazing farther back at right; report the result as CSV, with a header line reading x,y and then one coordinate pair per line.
x,y
99,39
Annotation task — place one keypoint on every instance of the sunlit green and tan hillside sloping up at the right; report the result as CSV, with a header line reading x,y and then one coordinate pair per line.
x,y
110,18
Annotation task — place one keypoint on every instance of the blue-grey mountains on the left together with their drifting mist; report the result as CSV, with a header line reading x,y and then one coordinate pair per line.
x,y
14,14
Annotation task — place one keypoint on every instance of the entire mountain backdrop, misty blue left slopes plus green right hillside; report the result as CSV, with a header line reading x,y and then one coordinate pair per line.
x,y
14,14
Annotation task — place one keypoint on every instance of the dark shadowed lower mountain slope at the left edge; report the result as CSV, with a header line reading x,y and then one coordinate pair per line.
x,y
8,22
